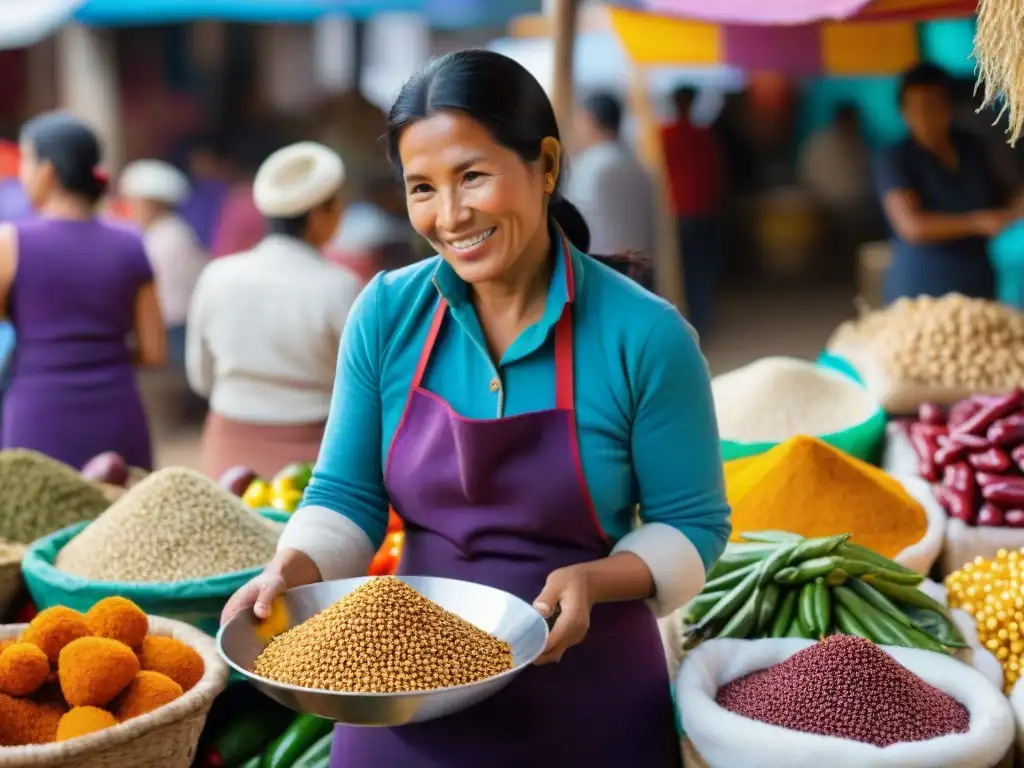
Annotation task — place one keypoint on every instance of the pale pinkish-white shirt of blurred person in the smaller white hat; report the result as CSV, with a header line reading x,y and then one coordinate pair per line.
x,y
178,260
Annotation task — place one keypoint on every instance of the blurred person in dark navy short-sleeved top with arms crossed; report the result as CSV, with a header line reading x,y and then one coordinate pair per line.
x,y
941,196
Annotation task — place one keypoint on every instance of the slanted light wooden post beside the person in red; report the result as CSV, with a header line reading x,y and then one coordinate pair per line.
x,y
668,265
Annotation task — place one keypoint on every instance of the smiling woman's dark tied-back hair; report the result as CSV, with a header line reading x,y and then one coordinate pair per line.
x,y
501,96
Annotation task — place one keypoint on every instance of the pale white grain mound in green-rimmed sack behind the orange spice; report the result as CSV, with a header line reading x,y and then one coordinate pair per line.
x,y
775,399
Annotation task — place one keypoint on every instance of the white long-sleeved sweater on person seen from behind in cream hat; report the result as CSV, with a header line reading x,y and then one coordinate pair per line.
x,y
264,333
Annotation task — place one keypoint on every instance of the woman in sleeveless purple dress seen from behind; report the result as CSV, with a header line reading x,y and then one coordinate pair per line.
x,y
75,290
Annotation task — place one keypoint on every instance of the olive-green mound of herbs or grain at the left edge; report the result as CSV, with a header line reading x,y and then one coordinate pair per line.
x,y
39,495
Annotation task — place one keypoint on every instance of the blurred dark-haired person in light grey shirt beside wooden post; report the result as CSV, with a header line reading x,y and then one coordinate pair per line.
x,y
608,184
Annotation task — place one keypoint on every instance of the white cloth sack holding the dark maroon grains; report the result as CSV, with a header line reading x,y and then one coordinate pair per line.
x,y
728,741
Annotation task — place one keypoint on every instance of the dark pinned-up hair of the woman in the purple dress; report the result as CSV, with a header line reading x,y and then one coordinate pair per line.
x,y
72,148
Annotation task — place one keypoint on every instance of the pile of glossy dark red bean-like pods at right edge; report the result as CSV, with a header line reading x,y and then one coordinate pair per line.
x,y
975,452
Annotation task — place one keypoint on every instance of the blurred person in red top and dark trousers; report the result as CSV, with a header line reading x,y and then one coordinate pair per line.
x,y
694,164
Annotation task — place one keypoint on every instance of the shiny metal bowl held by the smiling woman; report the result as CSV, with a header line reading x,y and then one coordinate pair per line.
x,y
502,615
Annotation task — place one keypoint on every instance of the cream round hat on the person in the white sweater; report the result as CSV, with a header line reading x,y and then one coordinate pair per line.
x,y
296,180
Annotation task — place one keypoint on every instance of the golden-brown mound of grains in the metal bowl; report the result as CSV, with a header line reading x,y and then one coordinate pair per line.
x,y
385,637
